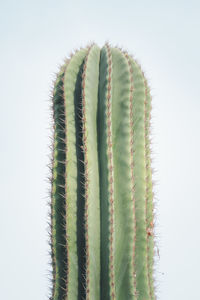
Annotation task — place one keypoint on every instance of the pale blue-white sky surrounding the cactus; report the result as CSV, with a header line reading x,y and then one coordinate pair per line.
x,y
35,37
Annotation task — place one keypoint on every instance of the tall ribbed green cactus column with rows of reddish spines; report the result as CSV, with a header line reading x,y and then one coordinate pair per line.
x,y
102,227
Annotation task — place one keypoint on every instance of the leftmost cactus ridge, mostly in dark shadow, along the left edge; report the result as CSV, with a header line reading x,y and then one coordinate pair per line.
x,y
58,191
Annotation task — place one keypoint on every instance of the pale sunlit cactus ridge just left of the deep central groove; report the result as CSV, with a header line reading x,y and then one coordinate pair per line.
x,y
92,202
